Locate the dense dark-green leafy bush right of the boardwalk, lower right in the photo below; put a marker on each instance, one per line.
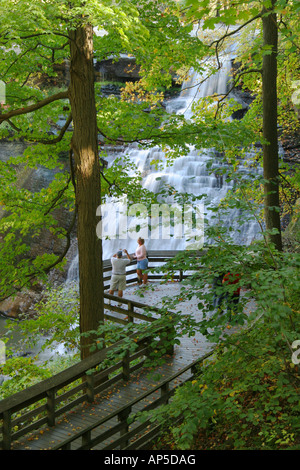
(245, 396)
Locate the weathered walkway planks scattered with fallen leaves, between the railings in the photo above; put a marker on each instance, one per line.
(120, 394)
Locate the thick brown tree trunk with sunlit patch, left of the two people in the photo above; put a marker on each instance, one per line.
(87, 173)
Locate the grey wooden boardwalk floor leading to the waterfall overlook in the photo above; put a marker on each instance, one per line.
(140, 391)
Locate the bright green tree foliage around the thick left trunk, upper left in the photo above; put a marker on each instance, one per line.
(35, 52)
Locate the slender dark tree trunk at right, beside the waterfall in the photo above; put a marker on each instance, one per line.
(270, 150)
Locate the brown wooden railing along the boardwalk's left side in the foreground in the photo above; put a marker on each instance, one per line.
(44, 402)
